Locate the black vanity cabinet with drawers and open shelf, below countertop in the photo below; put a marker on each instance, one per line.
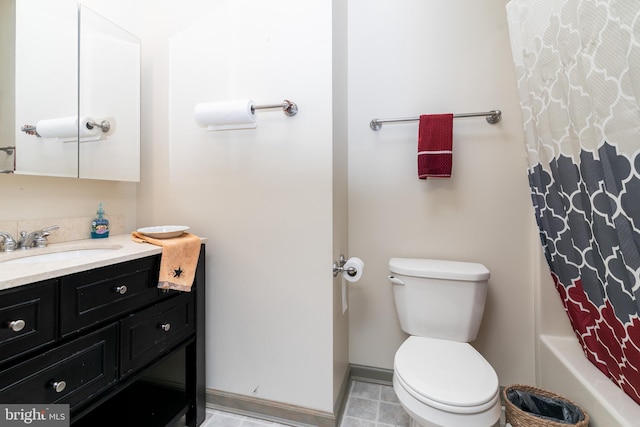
(91, 339)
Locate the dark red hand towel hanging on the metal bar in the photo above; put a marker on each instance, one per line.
(435, 142)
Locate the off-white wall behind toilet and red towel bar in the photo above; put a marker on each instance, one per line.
(415, 57)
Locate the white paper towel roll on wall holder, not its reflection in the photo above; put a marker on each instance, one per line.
(226, 115)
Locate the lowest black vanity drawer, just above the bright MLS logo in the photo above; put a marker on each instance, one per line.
(78, 369)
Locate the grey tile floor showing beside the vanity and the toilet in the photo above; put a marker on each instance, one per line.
(368, 405)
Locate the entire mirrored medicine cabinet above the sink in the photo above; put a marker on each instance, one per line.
(70, 92)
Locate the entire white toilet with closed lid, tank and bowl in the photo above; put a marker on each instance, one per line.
(440, 379)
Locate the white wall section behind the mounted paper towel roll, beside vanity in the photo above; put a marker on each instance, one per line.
(262, 197)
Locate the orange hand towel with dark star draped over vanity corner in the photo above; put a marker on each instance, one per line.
(179, 259)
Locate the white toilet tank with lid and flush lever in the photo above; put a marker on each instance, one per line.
(439, 299)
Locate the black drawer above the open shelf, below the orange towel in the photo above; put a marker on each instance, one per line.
(154, 331)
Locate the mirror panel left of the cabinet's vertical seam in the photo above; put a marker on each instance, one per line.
(46, 76)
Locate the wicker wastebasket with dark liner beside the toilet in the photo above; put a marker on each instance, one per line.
(520, 418)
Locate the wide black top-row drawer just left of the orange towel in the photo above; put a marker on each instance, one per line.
(88, 298)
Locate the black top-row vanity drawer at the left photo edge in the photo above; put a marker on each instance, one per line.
(26, 318)
